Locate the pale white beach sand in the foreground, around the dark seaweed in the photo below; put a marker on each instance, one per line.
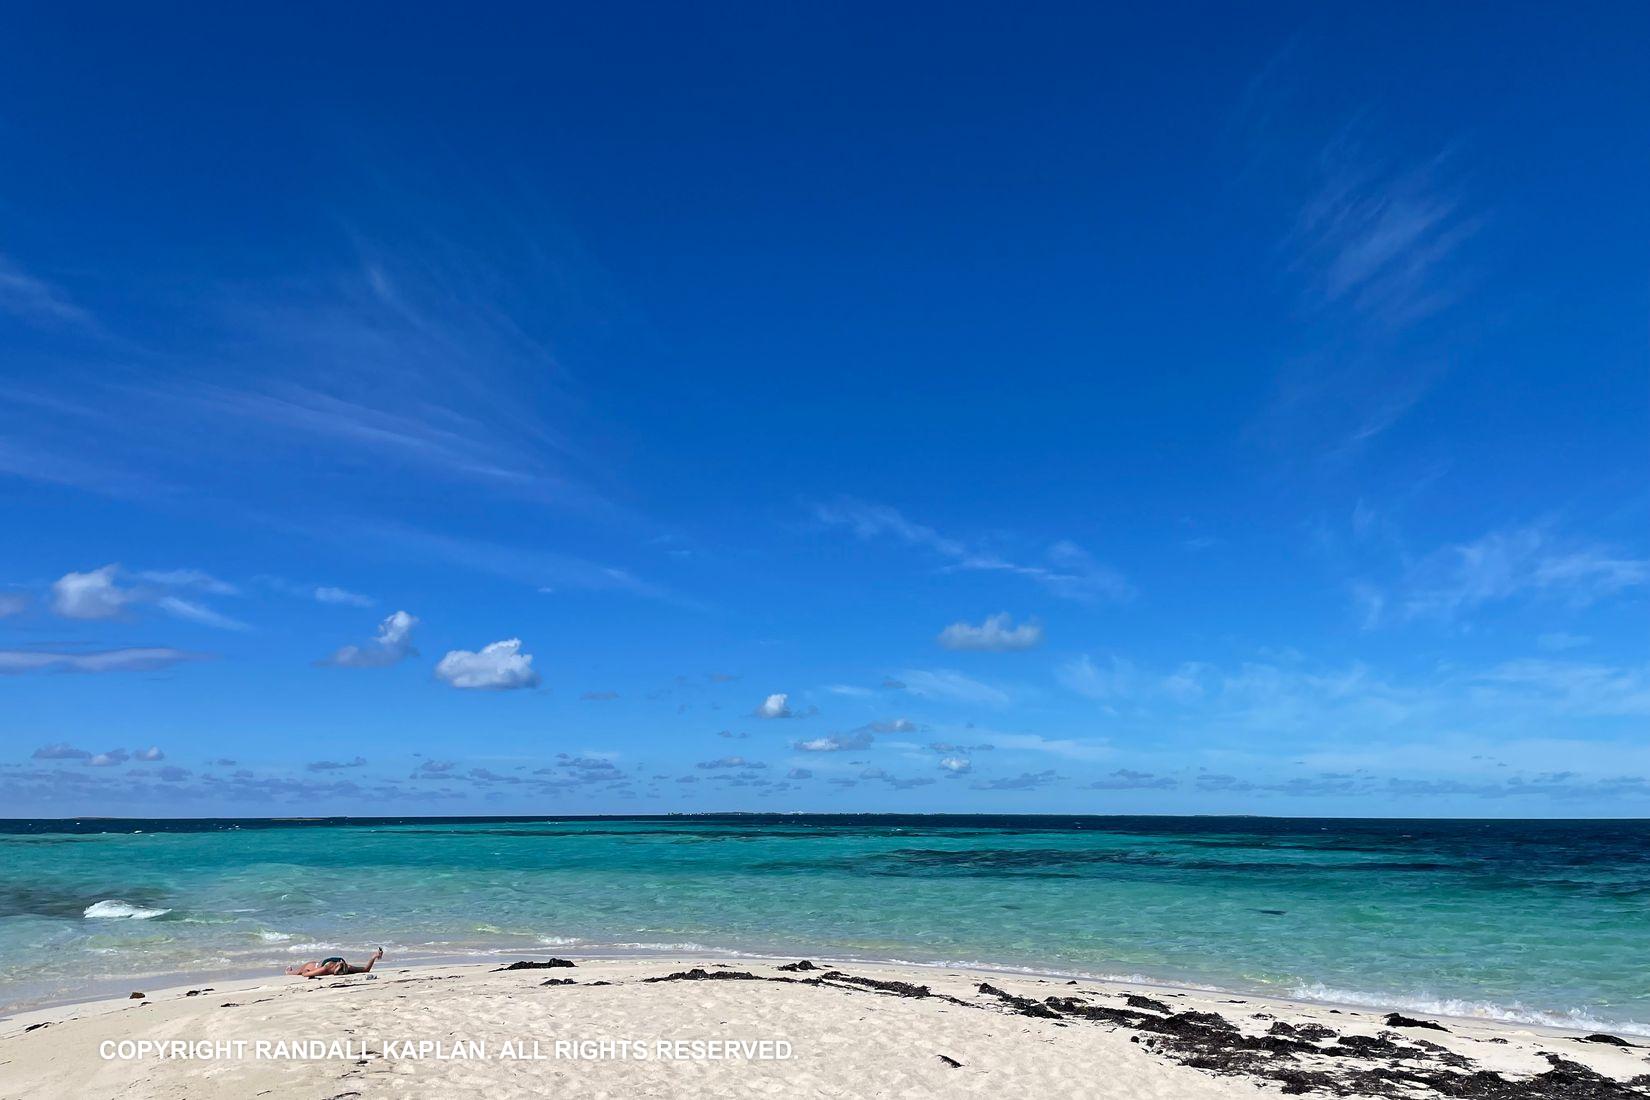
(496, 1035)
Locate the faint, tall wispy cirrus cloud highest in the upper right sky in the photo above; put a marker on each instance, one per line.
(1377, 240)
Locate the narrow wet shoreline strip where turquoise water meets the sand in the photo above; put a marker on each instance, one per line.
(166, 982)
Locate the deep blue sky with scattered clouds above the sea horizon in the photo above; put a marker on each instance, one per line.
(626, 410)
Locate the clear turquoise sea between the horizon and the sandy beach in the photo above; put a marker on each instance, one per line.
(1537, 921)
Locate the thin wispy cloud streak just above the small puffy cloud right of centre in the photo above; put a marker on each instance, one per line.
(1065, 568)
